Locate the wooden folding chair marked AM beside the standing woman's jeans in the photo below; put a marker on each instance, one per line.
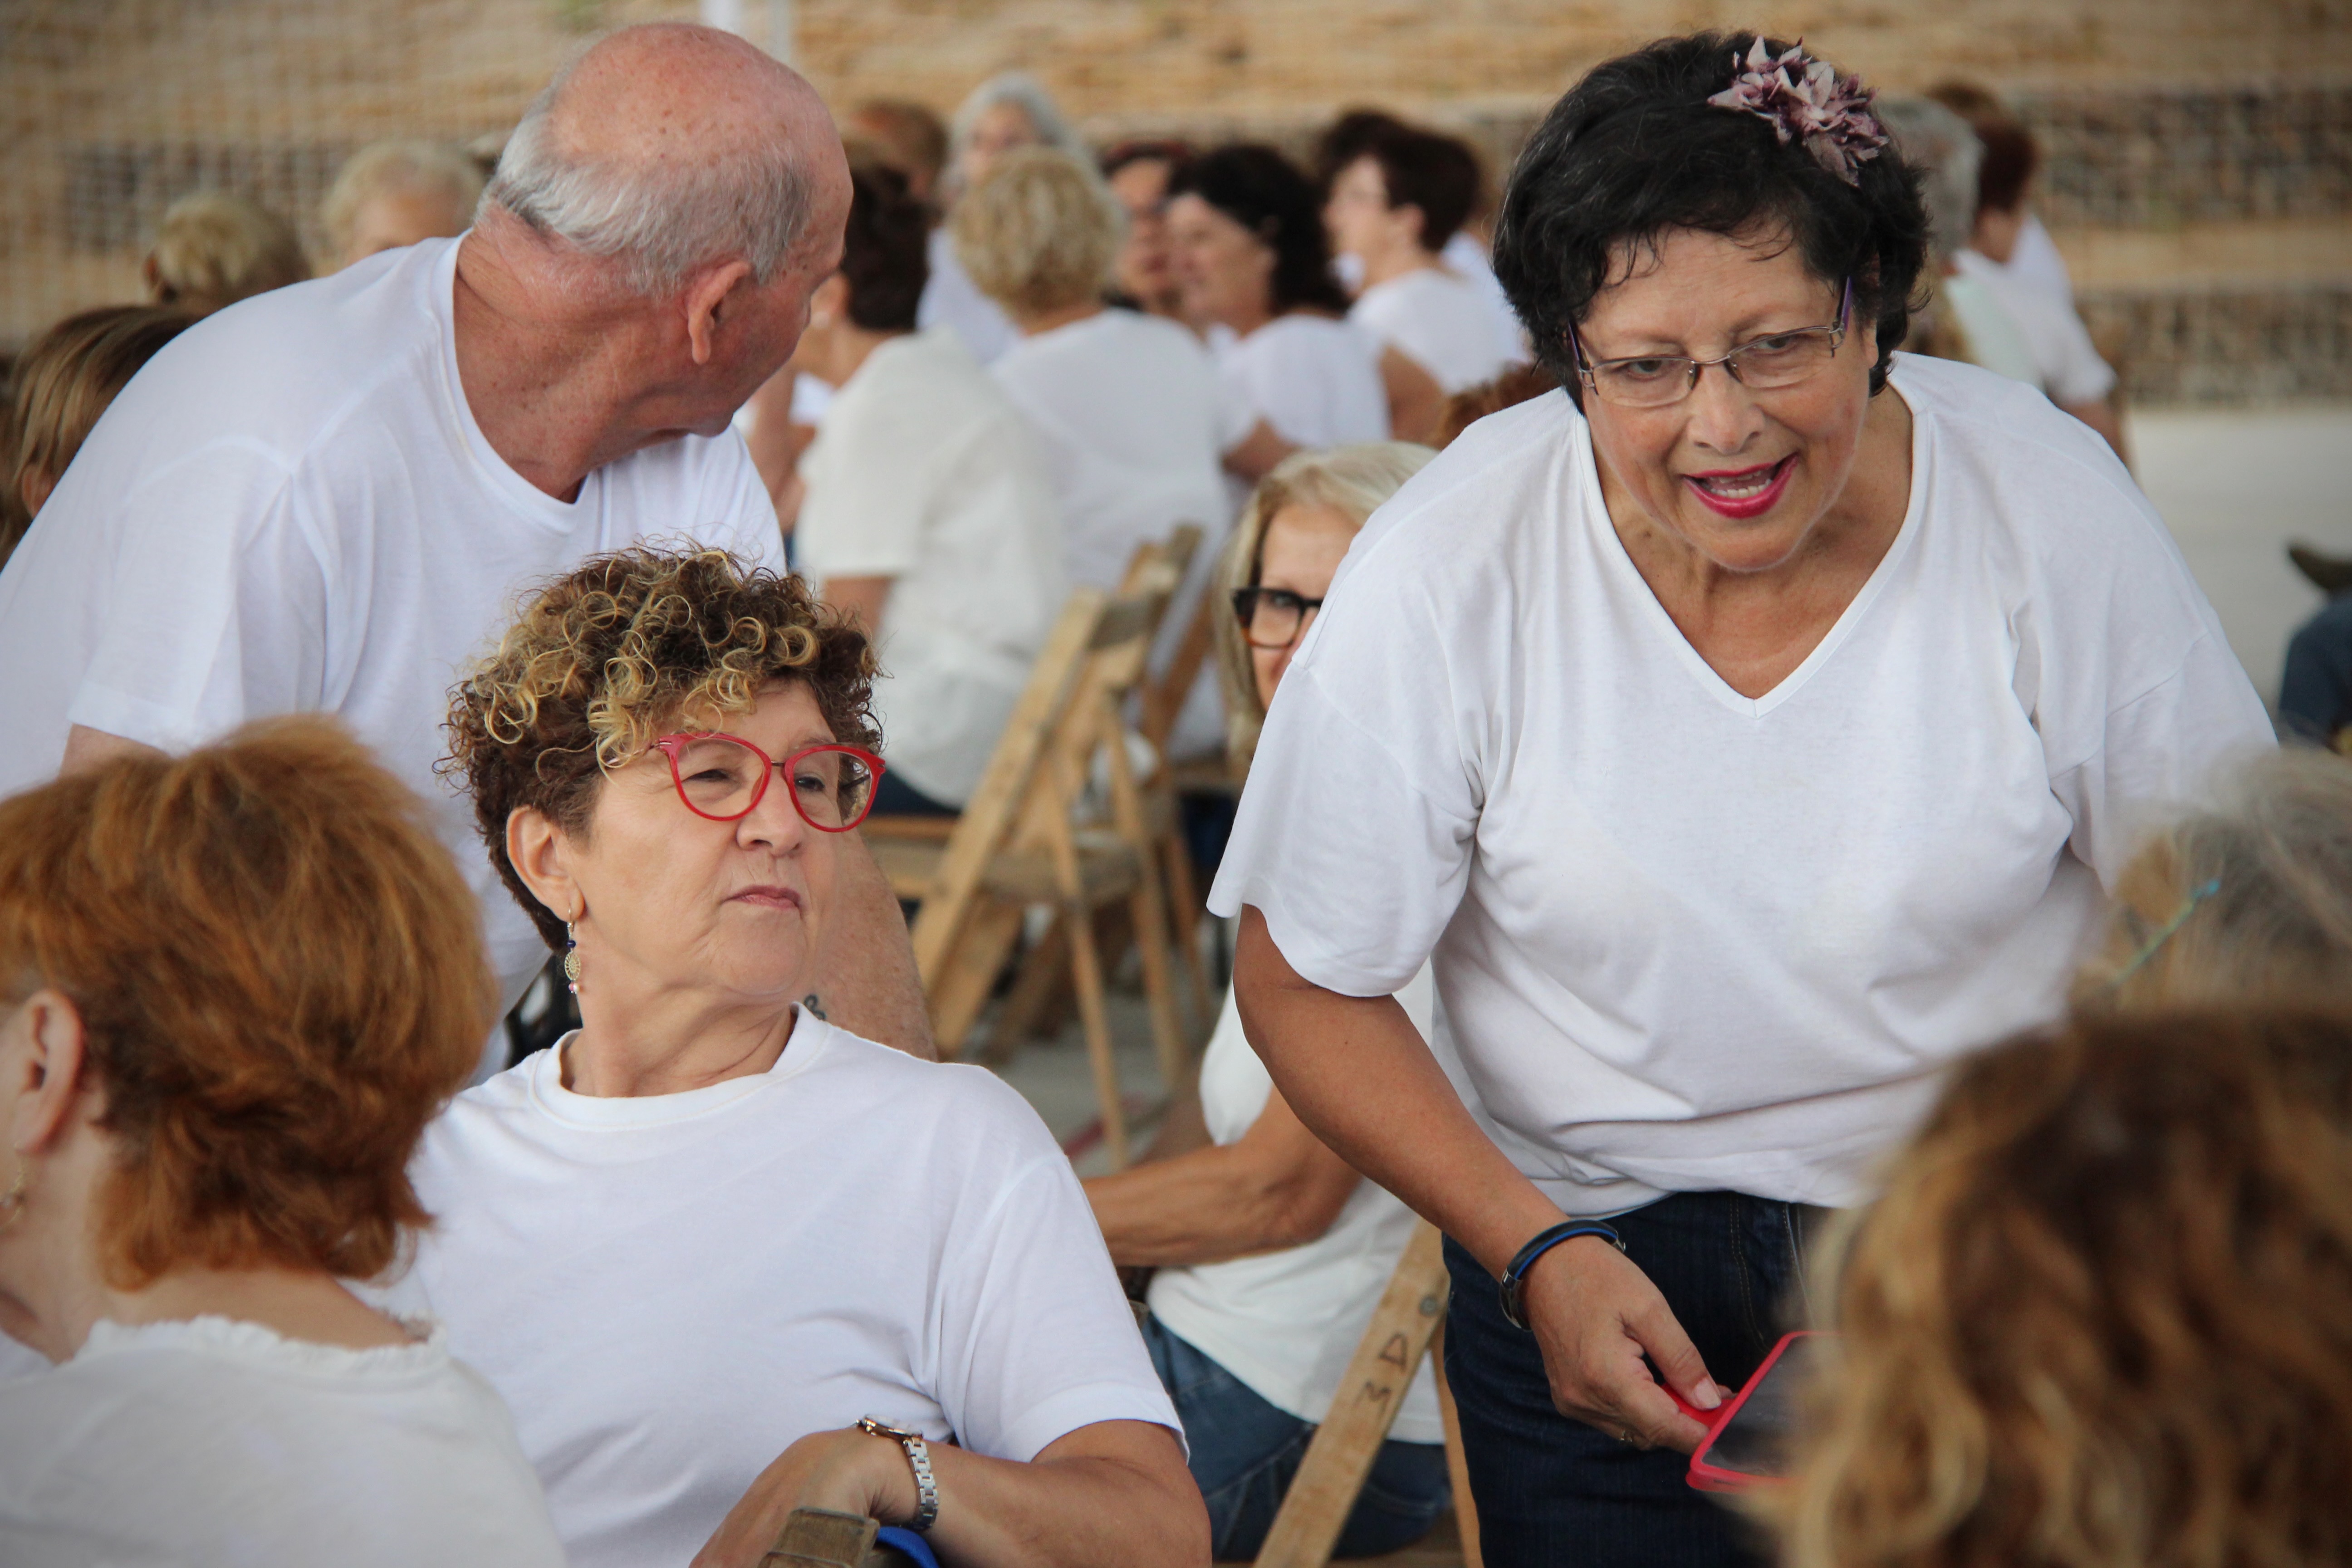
(1403, 1329)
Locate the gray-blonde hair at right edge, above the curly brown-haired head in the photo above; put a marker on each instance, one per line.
(2243, 904)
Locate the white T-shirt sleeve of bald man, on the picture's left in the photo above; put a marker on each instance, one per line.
(218, 608)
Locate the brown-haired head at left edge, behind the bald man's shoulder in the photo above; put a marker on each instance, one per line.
(62, 384)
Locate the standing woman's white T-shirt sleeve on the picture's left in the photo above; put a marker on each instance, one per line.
(1361, 880)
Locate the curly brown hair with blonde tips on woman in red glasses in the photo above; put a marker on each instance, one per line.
(606, 659)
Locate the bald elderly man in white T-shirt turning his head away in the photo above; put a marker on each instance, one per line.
(326, 500)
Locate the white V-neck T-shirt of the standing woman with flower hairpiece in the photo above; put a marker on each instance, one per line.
(1699, 942)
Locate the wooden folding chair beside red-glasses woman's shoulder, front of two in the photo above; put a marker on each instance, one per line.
(1024, 840)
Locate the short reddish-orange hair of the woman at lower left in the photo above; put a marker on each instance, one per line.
(281, 984)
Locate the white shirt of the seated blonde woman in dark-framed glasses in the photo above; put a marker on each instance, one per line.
(1288, 1322)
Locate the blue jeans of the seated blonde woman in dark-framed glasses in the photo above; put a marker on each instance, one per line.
(1245, 1454)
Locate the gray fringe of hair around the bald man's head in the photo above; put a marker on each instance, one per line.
(660, 222)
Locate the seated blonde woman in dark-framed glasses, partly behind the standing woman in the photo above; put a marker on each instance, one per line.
(1271, 1252)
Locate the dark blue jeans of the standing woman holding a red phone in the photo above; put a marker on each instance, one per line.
(1558, 1492)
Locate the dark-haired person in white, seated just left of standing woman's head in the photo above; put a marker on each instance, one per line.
(1398, 206)
